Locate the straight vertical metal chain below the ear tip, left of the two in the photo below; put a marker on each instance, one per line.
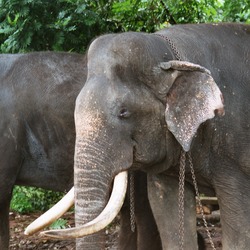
(181, 199)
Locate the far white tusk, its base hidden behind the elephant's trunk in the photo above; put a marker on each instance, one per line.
(60, 208)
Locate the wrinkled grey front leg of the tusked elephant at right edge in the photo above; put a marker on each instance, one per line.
(233, 195)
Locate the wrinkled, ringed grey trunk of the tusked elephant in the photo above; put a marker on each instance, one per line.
(92, 183)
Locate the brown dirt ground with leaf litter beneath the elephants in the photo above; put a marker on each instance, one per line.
(18, 222)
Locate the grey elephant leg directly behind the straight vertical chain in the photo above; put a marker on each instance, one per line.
(163, 197)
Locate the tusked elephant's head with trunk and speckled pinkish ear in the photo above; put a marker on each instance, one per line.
(137, 110)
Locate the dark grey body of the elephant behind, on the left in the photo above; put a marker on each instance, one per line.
(37, 132)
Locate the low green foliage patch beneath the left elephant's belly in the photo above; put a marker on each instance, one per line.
(29, 199)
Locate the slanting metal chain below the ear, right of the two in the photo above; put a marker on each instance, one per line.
(199, 200)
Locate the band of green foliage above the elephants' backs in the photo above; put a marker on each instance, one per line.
(69, 25)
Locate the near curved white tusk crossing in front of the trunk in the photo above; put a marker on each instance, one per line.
(104, 219)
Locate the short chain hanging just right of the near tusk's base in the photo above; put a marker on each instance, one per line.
(132, 201)
